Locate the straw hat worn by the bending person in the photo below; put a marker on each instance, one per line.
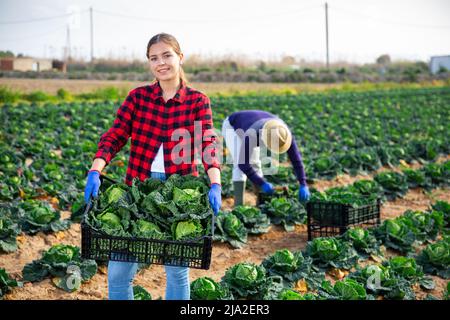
(276, 136)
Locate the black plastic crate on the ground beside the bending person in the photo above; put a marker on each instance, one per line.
(328, 219)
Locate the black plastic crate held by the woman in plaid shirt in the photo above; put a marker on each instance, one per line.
(99, 246)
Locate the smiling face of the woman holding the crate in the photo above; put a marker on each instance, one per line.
(164, 62)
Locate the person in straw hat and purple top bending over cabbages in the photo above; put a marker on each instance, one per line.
(244, 132)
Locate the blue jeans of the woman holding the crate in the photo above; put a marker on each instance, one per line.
(121, 275)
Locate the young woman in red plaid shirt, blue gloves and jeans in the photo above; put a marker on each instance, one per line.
(152, 116)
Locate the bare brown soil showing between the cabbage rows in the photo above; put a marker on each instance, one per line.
(223, 255)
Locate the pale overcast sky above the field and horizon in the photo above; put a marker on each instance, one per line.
(359, 30)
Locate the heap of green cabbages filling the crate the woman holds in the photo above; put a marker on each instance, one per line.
(177, 209)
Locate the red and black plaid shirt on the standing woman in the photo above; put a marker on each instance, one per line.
(149, 121)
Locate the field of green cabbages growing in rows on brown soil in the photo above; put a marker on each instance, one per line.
(391, 145)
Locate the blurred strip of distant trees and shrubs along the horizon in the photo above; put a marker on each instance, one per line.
(237, 69)
